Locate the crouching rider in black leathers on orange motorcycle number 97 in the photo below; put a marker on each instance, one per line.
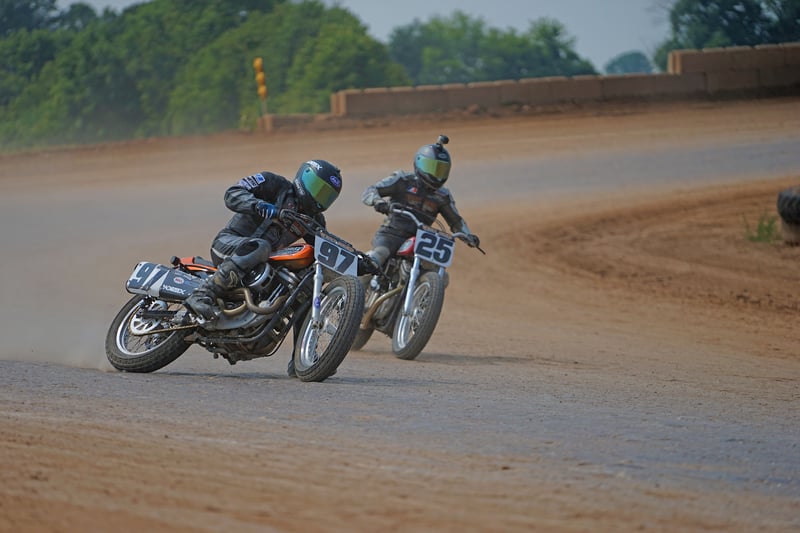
(255, 230)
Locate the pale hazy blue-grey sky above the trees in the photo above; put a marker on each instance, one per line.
(602, 29)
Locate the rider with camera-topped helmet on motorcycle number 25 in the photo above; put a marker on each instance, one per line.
(420, 191)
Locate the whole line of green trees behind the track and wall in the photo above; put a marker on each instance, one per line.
(175, 67)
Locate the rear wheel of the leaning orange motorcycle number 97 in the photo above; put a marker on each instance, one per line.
(158, 350)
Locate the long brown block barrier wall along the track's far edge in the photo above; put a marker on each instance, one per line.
(760, 70)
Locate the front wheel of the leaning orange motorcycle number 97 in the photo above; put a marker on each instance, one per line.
(321, 348)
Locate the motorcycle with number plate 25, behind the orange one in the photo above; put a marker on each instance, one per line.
(405, 299)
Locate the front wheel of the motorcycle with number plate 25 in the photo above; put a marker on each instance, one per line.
(413, 331)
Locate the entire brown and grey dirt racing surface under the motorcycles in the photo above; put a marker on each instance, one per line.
(623, 358)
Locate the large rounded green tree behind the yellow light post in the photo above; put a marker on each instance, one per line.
(303, 65)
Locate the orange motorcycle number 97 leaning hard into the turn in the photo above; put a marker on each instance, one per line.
(293, 289)
